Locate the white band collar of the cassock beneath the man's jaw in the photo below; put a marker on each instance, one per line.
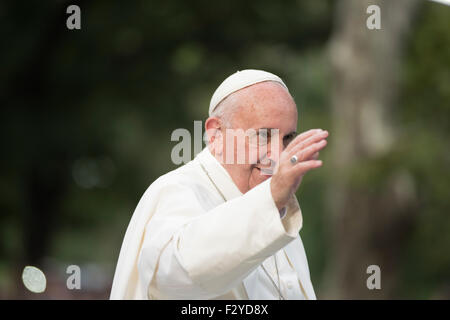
(218, 174)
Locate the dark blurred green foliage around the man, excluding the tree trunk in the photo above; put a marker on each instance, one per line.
(87, 116)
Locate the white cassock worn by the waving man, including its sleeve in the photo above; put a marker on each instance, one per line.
(185, 242)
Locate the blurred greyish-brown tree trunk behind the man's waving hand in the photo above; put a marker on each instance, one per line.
(369, 211)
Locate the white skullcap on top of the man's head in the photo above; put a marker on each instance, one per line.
(240, 80)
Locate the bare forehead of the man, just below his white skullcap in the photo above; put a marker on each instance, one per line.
(266, 105)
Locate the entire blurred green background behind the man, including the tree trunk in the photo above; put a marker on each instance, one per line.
(86, 119)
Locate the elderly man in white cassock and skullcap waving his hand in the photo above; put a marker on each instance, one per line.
(221, 229)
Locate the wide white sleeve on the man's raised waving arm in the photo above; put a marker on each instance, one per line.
(209, 253)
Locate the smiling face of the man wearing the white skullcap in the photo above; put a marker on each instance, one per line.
(262, 127)
